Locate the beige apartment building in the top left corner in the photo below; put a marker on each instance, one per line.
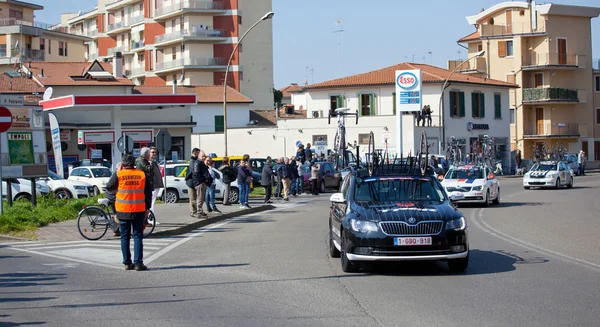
(23, 40)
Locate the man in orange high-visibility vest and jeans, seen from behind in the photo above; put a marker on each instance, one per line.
(133, 202)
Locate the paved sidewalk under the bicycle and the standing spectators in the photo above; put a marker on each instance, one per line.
(173, 219)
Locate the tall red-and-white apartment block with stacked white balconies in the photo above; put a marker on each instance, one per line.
(188, 41)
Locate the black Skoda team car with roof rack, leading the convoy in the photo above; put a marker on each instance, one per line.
(396, 213)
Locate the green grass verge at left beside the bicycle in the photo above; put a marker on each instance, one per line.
(22, 219)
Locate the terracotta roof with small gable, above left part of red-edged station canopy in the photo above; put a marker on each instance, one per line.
(59, 73)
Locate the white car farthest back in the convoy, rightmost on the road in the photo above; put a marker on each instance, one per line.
(549, 174)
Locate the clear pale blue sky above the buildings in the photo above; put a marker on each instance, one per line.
(377, 33)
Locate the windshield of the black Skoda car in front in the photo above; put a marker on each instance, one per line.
(396, 189)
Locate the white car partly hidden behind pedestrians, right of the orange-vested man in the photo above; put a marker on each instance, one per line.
(178, 190)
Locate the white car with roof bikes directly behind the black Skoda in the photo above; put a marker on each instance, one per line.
(477, 183)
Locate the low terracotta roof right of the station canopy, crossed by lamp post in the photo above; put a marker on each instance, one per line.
(206, 93)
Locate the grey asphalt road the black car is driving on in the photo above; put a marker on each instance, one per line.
(534, 262)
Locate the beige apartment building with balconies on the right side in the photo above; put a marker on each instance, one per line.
(545, 49)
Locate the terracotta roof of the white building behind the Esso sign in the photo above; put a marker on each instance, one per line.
(386, 76)
